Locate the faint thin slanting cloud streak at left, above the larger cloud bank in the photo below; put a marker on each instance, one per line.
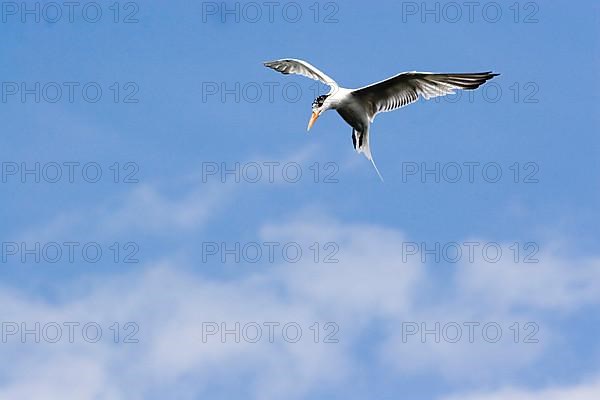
(146, 209)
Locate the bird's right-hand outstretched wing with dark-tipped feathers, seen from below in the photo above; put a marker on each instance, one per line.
(406, 88)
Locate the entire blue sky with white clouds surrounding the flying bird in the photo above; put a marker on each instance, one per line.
(165, 132)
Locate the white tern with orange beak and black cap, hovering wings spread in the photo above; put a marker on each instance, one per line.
(358, 107)
